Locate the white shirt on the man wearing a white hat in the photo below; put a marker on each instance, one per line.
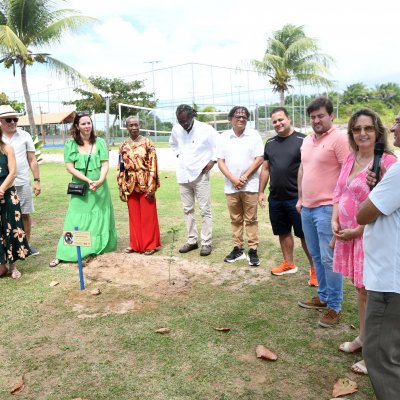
(21, 142)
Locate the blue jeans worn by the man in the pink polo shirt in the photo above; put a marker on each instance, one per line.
(318, 233)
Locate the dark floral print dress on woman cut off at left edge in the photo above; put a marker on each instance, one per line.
(14, 245)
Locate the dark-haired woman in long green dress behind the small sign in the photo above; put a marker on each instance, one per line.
(94, 211)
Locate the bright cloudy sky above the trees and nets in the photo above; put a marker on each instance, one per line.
(362, 36)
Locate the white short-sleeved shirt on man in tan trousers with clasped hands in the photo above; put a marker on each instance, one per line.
(239, 153)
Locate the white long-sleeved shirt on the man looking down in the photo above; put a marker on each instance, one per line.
(194, 149)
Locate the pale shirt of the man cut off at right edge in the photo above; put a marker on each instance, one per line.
(381, 239)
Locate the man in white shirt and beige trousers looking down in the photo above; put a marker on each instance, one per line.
(194, 144)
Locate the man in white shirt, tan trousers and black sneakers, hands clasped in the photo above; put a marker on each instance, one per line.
(240, 154)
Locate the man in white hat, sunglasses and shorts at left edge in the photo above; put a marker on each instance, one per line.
(24, 149)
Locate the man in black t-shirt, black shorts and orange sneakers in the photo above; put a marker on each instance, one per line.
(281, 165)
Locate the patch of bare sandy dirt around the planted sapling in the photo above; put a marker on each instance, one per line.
(144, 280)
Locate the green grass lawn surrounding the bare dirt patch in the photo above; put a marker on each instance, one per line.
(118, 356)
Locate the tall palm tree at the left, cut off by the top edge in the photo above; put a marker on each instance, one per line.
(28, 25)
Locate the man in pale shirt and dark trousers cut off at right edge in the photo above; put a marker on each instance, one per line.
(381, 241)
